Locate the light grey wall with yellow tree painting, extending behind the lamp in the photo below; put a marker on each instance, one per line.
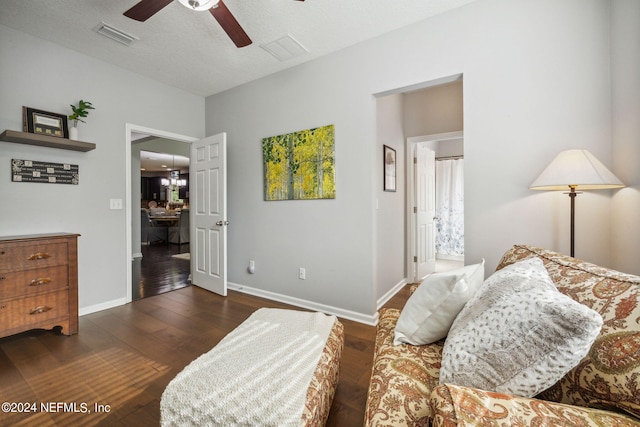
(536, 81)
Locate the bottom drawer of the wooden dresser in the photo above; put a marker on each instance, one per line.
(34, 310)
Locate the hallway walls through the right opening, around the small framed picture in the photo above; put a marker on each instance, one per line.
(426, 108)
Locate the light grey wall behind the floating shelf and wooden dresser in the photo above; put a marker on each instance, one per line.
(42, 75)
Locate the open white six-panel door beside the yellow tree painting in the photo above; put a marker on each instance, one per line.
(208, 171)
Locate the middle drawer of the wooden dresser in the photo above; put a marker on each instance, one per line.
(28, 282)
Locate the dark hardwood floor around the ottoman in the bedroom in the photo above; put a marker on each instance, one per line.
(123, 358)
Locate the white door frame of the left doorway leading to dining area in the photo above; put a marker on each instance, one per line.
(129, 129)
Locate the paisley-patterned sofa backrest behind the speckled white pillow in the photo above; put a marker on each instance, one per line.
(608, 375)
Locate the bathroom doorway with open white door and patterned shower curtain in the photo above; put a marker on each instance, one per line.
(435, 243)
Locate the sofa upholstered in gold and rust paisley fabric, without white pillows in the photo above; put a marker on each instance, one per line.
(602, 389)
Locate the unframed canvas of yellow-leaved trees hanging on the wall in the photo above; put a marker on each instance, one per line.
(300, 165)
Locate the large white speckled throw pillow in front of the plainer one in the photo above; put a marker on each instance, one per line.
(518, 335)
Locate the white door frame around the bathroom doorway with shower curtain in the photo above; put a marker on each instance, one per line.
(411, 230)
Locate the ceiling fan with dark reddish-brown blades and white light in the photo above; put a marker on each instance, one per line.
(145, 9)
